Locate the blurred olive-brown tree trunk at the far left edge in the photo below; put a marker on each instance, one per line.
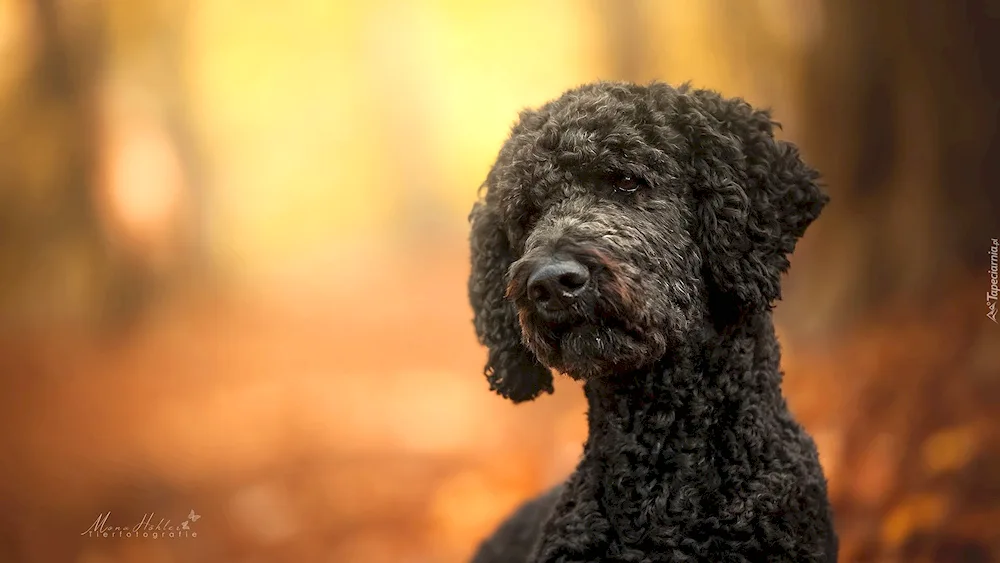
(53, 256)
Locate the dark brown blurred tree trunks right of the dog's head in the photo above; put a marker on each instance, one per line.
(901, 101)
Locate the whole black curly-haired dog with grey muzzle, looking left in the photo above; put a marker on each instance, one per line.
(634, 237)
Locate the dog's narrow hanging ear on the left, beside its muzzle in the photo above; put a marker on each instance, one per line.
(512, 370)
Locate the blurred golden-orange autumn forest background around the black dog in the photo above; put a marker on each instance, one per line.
(233, 249)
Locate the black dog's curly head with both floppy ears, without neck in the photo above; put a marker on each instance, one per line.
(618, 219)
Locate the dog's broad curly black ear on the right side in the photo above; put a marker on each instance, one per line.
(754, 198)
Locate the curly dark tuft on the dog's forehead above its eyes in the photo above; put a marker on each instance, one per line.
(566, 148)
